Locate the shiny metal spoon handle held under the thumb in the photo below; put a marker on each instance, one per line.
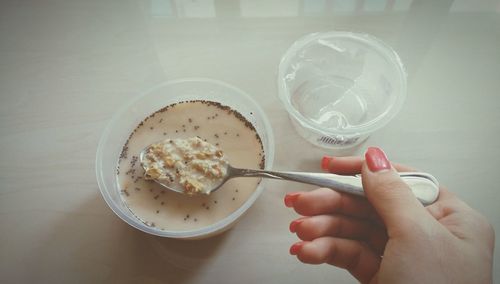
(423, 185)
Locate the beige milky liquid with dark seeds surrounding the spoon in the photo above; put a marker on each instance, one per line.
(213, 123)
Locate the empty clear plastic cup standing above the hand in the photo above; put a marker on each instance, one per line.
(339, 87)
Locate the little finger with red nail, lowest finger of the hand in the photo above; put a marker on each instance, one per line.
(352, 255)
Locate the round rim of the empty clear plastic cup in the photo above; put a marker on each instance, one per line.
(386, 51)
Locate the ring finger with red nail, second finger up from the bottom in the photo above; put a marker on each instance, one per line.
(310, 228)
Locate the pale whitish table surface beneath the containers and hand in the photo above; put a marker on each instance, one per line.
(66, 66)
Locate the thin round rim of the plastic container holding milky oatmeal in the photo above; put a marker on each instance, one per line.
(203, 231)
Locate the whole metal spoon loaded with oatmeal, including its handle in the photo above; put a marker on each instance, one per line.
(193, 166)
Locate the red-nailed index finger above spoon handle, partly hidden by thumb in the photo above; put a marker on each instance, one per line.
(352, 165)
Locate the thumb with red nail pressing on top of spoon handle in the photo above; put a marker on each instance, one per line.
(391, 197)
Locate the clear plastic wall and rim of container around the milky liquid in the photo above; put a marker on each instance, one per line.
(126, 119)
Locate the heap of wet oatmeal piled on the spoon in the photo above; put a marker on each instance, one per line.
(190, 165)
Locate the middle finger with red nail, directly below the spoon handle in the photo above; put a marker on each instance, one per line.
(327, 201)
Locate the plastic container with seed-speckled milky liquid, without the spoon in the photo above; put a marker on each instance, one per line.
(211, 110)
